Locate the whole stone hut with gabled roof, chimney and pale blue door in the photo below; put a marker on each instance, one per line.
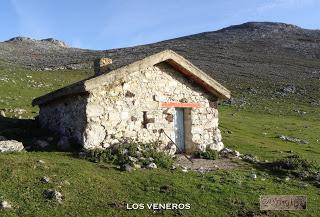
(161, 98)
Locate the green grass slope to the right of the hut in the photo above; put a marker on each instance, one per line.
(256, 133)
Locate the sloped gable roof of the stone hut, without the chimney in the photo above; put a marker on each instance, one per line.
(168, 56)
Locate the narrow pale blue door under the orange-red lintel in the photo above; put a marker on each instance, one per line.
(179, 129)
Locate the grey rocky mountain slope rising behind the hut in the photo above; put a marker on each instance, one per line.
(259, 51)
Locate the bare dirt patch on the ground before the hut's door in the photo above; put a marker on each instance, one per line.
(206, 165)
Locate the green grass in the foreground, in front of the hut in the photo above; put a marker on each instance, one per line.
(94, 188)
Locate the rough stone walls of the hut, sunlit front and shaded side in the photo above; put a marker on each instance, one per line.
(139, 107)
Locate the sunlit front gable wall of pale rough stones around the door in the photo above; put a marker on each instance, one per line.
(129, 110)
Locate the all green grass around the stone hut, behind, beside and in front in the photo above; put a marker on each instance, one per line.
(101, 190)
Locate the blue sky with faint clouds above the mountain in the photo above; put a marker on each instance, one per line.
(106, 24)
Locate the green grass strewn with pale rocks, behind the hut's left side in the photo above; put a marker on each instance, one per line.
(18, 87)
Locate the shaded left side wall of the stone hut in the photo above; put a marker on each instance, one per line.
(66, 118)
